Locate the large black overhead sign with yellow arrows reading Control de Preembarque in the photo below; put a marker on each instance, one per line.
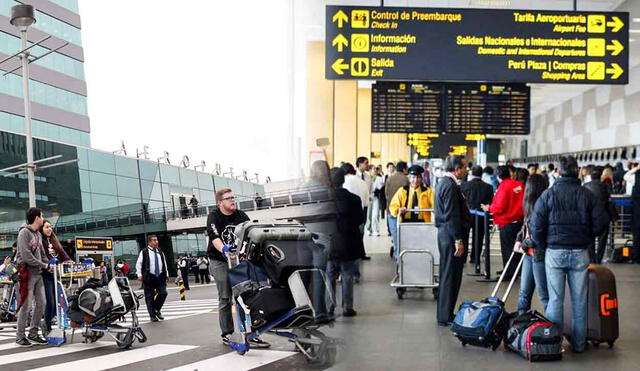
(497, 45)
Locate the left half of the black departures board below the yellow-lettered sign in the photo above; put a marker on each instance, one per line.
(406, 107)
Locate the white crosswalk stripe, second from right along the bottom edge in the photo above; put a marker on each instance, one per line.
(120, 358)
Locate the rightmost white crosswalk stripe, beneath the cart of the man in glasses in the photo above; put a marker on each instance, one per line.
(235, 362)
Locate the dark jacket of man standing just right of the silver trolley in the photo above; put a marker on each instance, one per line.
(452, 212)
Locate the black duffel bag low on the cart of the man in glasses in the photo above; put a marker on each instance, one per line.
(269, 304)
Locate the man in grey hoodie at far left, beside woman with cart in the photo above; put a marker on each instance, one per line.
(31, 258)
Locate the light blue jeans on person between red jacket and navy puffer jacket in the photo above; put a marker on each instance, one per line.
(533, 278)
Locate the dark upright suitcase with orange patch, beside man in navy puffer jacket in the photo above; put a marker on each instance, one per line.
(602, 307)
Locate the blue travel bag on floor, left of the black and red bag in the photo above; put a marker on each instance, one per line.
(480, 323)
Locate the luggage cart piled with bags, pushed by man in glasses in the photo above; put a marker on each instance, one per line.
(293, 301)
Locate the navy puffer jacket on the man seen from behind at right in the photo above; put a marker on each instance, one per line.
(567, 216)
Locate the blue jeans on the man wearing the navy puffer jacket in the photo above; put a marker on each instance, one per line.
(570, 266)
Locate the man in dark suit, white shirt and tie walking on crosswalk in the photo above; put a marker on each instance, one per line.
(151, 268)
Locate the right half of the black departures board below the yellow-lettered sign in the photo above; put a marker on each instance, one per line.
(488, 109)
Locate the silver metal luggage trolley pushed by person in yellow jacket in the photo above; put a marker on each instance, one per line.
(418, 256)
